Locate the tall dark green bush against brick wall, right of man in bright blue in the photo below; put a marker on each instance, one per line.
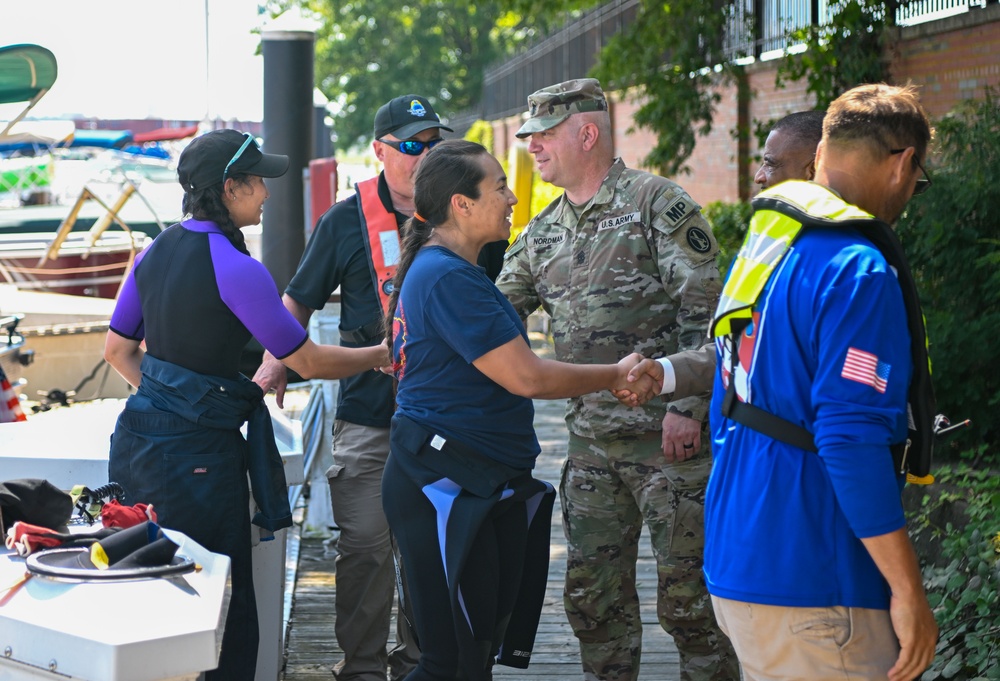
(951, 236)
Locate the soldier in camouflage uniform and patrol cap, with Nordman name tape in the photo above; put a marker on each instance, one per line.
(622, 262)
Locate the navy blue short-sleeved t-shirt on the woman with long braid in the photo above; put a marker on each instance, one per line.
(450, 314)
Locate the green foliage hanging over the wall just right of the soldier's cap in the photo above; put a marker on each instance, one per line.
(675, 84)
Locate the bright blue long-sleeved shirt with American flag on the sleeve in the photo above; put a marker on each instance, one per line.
(828, 350)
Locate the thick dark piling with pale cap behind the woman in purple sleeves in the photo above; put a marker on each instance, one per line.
(288, 129)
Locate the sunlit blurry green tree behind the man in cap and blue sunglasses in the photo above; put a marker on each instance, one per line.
(369, 51)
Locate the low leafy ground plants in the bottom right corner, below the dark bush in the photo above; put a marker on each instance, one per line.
(964, 593)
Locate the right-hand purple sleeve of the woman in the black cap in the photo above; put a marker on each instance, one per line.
(249, 291)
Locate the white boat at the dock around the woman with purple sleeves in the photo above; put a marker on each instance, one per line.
(149, 629)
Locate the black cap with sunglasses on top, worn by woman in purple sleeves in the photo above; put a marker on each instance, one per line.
(204, 162)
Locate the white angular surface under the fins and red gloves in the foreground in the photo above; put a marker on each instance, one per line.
(138, 630)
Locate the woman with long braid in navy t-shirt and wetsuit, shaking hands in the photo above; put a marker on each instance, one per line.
(471, 522)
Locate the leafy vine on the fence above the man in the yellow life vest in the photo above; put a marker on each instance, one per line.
(847, 51)
